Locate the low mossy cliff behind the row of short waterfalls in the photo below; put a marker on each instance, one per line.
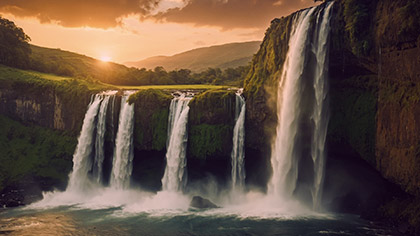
(33, 109)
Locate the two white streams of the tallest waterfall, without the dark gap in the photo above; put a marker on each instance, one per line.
(285, 160)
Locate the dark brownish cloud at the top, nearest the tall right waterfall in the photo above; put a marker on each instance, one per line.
(229, 14)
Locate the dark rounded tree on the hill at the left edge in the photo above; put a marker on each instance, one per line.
(14, 46)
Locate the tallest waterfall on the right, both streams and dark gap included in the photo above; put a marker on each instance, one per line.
(302, 109)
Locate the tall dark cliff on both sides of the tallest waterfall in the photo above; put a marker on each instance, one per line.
(374, 101)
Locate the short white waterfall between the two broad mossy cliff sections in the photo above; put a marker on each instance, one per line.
(174, 178)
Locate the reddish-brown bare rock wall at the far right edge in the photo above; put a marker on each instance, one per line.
(398, 116)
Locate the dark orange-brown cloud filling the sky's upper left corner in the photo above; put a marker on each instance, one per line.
(74, 13)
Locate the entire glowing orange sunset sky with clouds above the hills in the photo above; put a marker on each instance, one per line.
(129, 30)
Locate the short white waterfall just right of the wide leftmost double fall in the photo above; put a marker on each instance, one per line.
(123, 153)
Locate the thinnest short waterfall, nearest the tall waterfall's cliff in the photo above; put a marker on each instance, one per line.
(237, 155)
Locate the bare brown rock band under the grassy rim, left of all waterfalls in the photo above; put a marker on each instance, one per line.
(44, 106)
